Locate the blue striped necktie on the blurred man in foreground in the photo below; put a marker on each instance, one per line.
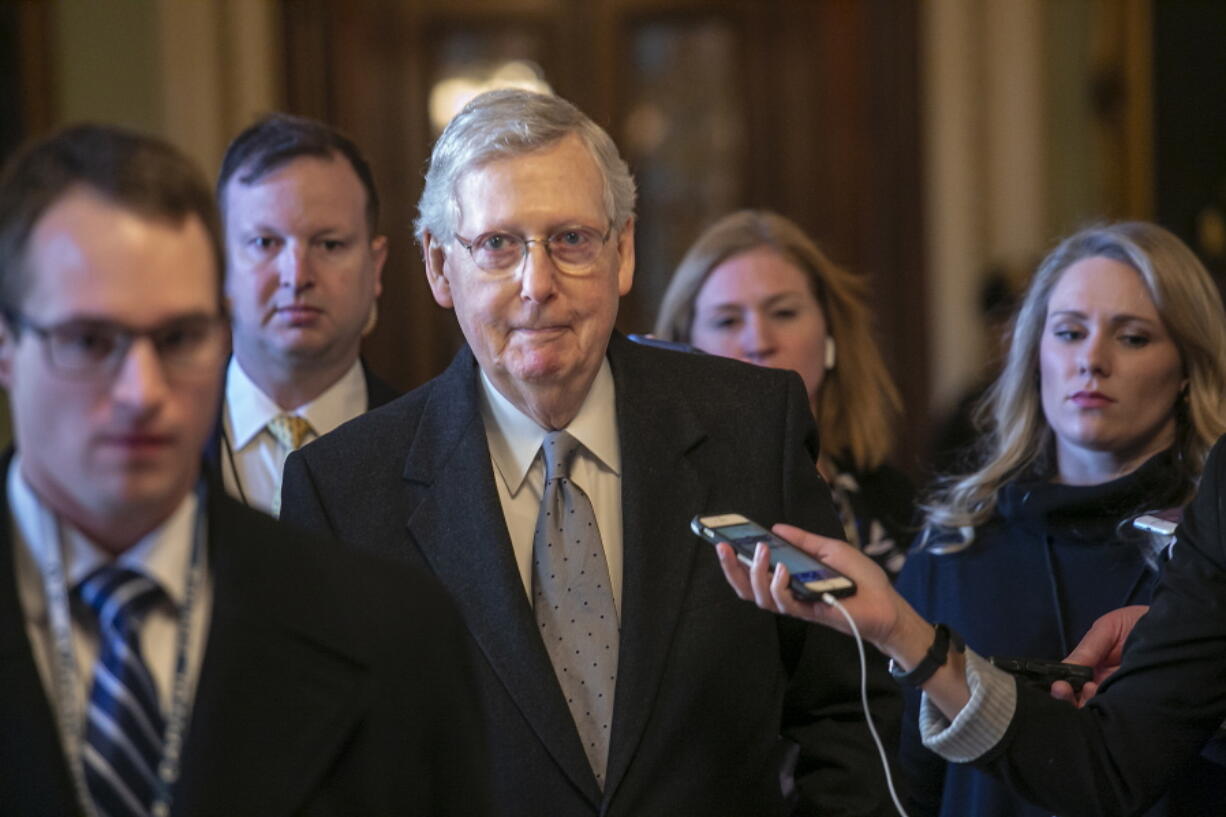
(124, 726)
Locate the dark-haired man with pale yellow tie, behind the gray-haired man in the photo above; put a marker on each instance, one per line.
(305, 259)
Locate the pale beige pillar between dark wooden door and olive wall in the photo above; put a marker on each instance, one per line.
(983, 82)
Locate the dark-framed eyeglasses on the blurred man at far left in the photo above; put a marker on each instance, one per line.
(88, 349)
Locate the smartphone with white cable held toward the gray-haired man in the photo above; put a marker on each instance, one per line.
(810, 578)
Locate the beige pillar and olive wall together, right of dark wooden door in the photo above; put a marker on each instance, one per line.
(1015, 155)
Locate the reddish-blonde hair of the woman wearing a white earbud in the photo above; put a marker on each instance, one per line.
(859, 401)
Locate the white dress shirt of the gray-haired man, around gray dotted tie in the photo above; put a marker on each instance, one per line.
(516, 447)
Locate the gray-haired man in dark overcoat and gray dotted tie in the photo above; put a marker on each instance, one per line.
(549, 479)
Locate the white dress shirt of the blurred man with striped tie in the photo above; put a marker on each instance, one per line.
(164, 556)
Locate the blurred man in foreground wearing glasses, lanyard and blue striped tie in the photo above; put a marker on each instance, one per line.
(162, 648)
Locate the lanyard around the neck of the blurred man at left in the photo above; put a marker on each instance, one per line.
(64, 668)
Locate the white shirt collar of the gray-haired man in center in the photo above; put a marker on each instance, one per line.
(516, 439)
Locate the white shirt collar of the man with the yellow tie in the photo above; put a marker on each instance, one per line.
(248, 409)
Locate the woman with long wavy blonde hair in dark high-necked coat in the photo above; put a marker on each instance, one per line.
(1109, 404)
